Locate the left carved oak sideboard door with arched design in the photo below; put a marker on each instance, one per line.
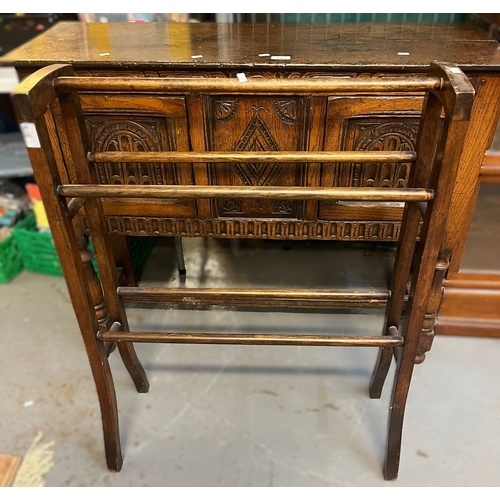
(140, 123)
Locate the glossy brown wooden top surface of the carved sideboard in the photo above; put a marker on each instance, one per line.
(319, 46)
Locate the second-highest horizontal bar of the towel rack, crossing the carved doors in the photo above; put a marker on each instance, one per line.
(251, 156)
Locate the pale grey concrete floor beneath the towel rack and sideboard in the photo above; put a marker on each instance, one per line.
(245, 415)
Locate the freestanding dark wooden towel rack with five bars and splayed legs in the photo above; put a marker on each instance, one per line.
(49, 108)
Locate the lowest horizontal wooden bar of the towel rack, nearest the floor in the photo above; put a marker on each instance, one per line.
(251, 339)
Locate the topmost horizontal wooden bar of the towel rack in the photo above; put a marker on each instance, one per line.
(252, 86)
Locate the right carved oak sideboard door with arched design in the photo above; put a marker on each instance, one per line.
(369, 124)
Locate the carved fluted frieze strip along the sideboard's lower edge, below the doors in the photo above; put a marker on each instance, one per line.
(247, 228)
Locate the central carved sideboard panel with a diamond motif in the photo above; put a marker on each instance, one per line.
(256, 124)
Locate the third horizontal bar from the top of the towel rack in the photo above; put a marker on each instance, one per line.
(273, 192)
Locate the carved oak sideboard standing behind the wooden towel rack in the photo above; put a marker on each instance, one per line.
(204, 122)
